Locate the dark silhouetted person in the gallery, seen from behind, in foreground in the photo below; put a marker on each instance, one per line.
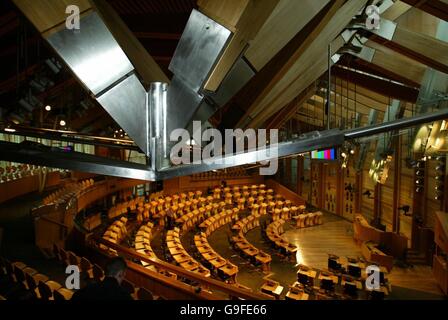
(109, 288)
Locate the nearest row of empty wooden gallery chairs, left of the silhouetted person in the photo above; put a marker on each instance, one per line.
(36, 284)
